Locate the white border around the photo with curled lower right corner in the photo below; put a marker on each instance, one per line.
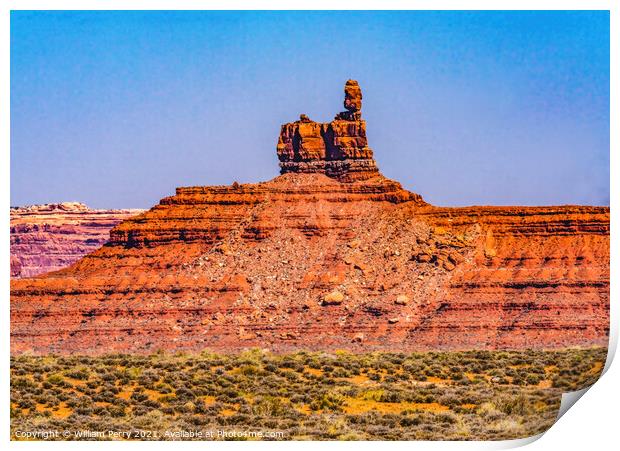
(593, 425)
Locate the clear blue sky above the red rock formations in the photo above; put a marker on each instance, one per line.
(116, 109)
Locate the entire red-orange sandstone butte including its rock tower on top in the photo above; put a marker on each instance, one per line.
(328, 255)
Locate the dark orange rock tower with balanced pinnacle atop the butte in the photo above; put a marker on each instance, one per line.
(338, 149)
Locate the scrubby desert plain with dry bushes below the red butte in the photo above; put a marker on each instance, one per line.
(323, 396)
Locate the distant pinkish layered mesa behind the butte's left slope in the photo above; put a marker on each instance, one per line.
(49, 237)
